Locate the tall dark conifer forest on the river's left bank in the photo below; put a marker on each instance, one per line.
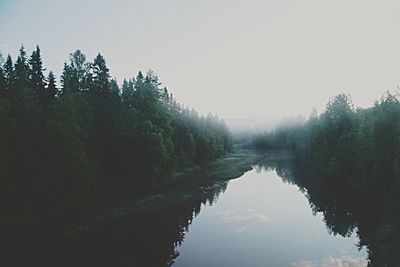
(63, 145)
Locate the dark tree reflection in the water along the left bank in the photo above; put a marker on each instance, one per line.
(146, 237)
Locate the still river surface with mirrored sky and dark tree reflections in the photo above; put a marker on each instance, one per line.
(267, 217)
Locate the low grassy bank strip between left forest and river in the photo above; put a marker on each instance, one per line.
(188, 185)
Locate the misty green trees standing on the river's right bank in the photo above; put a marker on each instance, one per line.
(363, 144)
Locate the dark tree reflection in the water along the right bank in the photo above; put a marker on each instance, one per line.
(344, 209)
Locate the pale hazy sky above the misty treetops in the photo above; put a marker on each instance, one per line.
(238, 59)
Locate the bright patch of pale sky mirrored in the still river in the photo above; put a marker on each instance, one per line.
(261, 221)
